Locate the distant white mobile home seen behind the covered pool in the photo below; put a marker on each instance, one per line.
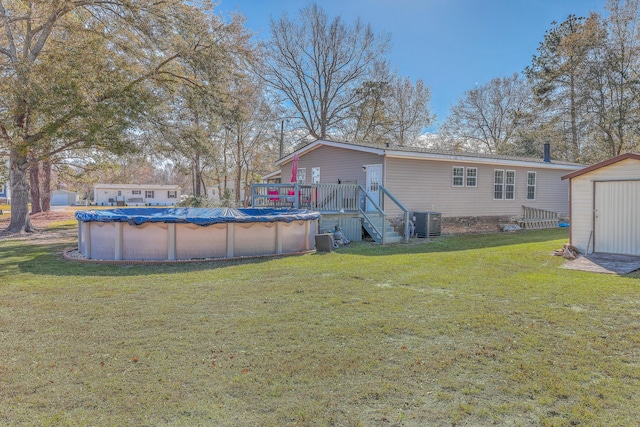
(135, 195)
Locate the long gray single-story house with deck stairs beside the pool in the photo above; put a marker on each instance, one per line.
(453, 184)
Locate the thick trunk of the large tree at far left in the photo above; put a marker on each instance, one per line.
(20, 222)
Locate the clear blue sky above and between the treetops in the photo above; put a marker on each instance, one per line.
(451, 45)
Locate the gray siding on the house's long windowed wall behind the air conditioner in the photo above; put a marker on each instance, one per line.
(426, 185)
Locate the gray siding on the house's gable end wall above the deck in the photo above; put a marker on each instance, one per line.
(335, 164)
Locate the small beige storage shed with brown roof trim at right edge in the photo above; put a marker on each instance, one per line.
(605, 206)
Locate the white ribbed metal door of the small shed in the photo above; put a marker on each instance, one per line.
(617, 217)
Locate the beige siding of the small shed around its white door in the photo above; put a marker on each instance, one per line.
(582, 202)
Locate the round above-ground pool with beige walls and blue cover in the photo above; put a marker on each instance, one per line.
(172, 234)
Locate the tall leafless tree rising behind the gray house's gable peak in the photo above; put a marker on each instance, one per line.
(318, 64)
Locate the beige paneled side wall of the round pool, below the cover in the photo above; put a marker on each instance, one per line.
(160, 241)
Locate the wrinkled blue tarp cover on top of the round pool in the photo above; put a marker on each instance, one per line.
(199, 216)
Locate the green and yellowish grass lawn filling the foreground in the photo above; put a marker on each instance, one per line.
(468, 330)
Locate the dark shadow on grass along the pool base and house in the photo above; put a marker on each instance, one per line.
(47, 259)
